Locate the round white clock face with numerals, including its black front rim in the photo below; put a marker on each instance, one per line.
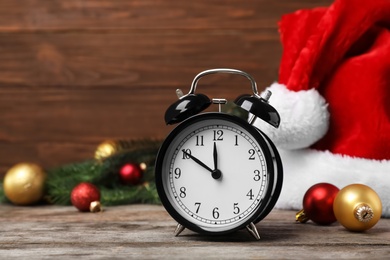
(213, 173)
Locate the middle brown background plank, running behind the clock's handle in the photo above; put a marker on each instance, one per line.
(132, 59)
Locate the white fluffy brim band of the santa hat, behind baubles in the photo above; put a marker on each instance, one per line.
(306, 167)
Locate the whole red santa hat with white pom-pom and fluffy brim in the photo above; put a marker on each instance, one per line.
(333, 97)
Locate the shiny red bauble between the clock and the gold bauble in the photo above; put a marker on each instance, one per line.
(318, 203)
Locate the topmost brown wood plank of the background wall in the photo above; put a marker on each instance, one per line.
(147, 14)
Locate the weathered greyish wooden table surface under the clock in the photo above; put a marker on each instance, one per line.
(146, 232)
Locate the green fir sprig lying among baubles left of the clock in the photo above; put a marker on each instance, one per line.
(104, 174)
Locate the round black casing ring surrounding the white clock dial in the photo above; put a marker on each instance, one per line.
(272, 158)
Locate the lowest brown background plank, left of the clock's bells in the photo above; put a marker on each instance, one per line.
(57, 127)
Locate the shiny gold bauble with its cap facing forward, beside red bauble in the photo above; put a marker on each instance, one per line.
(357, 207)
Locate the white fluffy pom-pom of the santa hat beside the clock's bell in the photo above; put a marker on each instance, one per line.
(304, 117)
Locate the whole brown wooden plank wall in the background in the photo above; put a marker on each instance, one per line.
(74, 73)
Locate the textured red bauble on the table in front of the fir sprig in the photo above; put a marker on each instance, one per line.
(83, 195)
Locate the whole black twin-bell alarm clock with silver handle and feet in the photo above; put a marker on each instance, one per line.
(217, 173)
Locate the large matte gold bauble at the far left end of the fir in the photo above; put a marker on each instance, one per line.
(24, 183)
